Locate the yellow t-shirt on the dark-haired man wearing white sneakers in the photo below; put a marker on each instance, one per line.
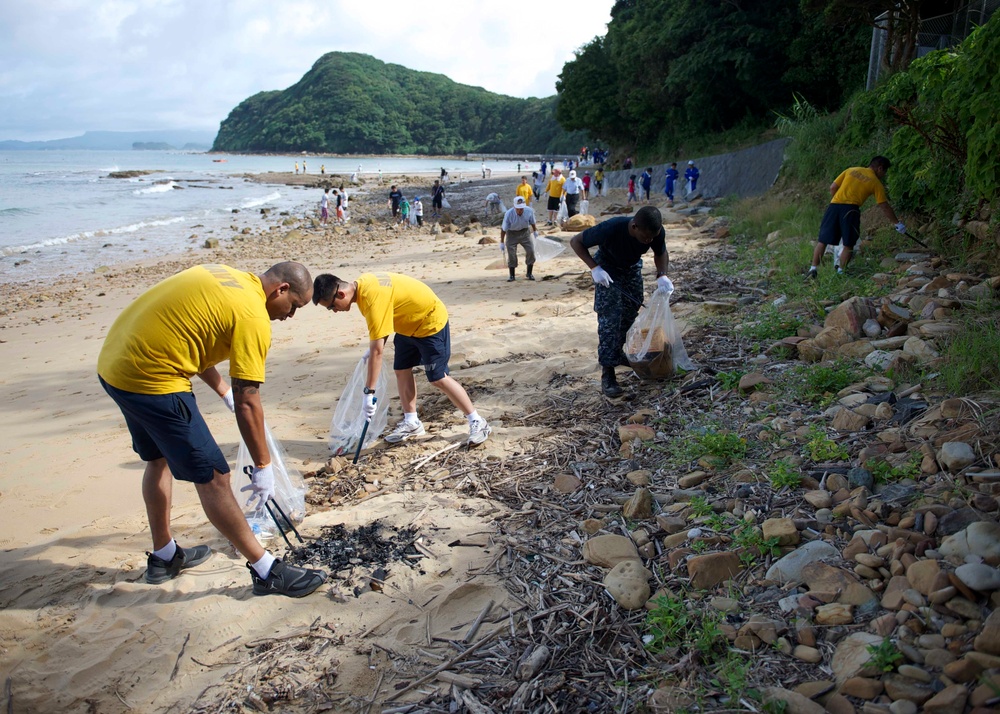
(398, 303)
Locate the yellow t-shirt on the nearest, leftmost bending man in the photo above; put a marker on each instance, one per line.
(185, 324)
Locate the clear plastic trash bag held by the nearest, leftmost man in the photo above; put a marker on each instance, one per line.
(289, 487)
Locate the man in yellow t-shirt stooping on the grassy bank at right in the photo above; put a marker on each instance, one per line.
(842, 220)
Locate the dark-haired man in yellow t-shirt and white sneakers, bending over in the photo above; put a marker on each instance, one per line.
(394, 303)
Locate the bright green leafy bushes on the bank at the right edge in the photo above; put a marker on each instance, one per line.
(936, 121)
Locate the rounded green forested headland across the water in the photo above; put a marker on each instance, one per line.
(354, 103)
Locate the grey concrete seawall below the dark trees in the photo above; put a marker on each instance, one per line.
(749, 172)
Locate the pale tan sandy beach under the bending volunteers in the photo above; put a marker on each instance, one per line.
(79, 629)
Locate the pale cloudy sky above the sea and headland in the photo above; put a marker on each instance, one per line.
(69, 66)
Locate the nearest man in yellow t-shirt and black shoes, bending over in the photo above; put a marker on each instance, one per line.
(181, 327)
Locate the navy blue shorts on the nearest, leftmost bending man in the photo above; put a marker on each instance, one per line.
(170, 426)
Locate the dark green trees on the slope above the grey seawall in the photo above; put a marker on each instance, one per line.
(668, 70)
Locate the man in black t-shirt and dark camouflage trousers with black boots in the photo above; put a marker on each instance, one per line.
(617, 272)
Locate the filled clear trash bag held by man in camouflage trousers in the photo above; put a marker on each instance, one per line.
(653, 346)
